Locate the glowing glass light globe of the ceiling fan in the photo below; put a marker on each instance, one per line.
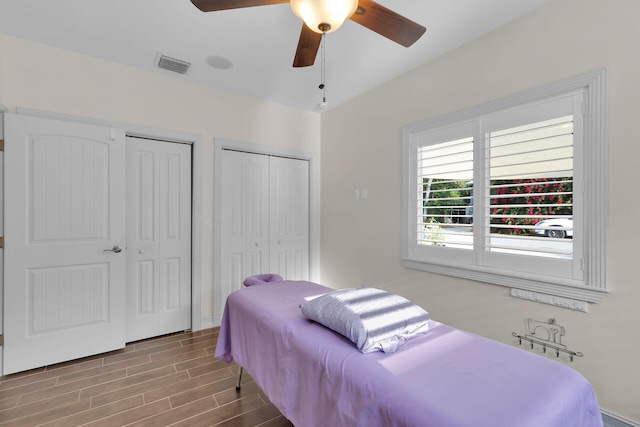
(317, 13)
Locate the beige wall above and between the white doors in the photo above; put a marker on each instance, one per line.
(44, 78)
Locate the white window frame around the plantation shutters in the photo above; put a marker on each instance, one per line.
(593, 165)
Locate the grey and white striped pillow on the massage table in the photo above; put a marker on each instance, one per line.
(371, 318)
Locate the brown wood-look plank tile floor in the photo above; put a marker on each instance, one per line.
(171, 380)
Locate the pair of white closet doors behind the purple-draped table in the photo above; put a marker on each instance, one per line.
(262, 205)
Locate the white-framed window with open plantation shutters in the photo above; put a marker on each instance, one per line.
(513, 192)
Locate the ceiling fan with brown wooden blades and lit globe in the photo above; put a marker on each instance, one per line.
(318, 19)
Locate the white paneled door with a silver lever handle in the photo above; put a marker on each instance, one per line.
(65, 227)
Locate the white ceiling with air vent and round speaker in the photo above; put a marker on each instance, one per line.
(259, 41)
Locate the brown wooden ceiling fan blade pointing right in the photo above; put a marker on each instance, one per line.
(387, 23)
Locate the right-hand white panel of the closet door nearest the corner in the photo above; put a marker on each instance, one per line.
(289, 215)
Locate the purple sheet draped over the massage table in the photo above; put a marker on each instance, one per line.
(444, 378)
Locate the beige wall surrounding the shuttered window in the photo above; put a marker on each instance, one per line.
(362, 146)
